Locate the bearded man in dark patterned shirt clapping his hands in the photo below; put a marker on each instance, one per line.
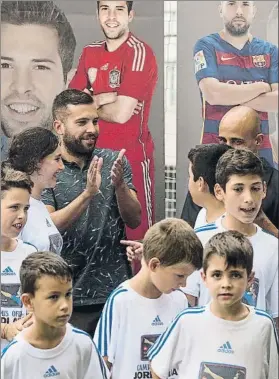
(93, 200)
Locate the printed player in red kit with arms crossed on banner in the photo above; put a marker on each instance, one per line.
(122, 73)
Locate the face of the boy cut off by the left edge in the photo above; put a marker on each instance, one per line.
(14, 207)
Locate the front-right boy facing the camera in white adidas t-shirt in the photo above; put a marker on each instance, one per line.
(226, 339)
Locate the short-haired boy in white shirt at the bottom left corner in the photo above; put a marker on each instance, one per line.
(50, 347)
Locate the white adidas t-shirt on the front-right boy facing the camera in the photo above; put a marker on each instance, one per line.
(198, 343)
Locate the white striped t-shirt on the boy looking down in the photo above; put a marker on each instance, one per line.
(129, 326)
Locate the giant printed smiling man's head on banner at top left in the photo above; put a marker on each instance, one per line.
(37, 52)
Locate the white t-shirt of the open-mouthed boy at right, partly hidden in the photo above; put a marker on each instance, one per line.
(263, 293)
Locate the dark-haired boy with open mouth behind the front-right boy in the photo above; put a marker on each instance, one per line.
(239, 185)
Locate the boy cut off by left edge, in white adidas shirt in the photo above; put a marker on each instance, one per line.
(15, 195)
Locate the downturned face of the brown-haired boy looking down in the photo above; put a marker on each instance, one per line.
(169, 278)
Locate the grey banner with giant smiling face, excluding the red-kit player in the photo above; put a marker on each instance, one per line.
(36, 65)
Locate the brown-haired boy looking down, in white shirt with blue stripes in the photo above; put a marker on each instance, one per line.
(140, 309)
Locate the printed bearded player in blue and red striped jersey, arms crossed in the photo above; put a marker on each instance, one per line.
(232, 68)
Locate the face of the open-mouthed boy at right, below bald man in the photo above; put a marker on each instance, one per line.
(243, 197)
